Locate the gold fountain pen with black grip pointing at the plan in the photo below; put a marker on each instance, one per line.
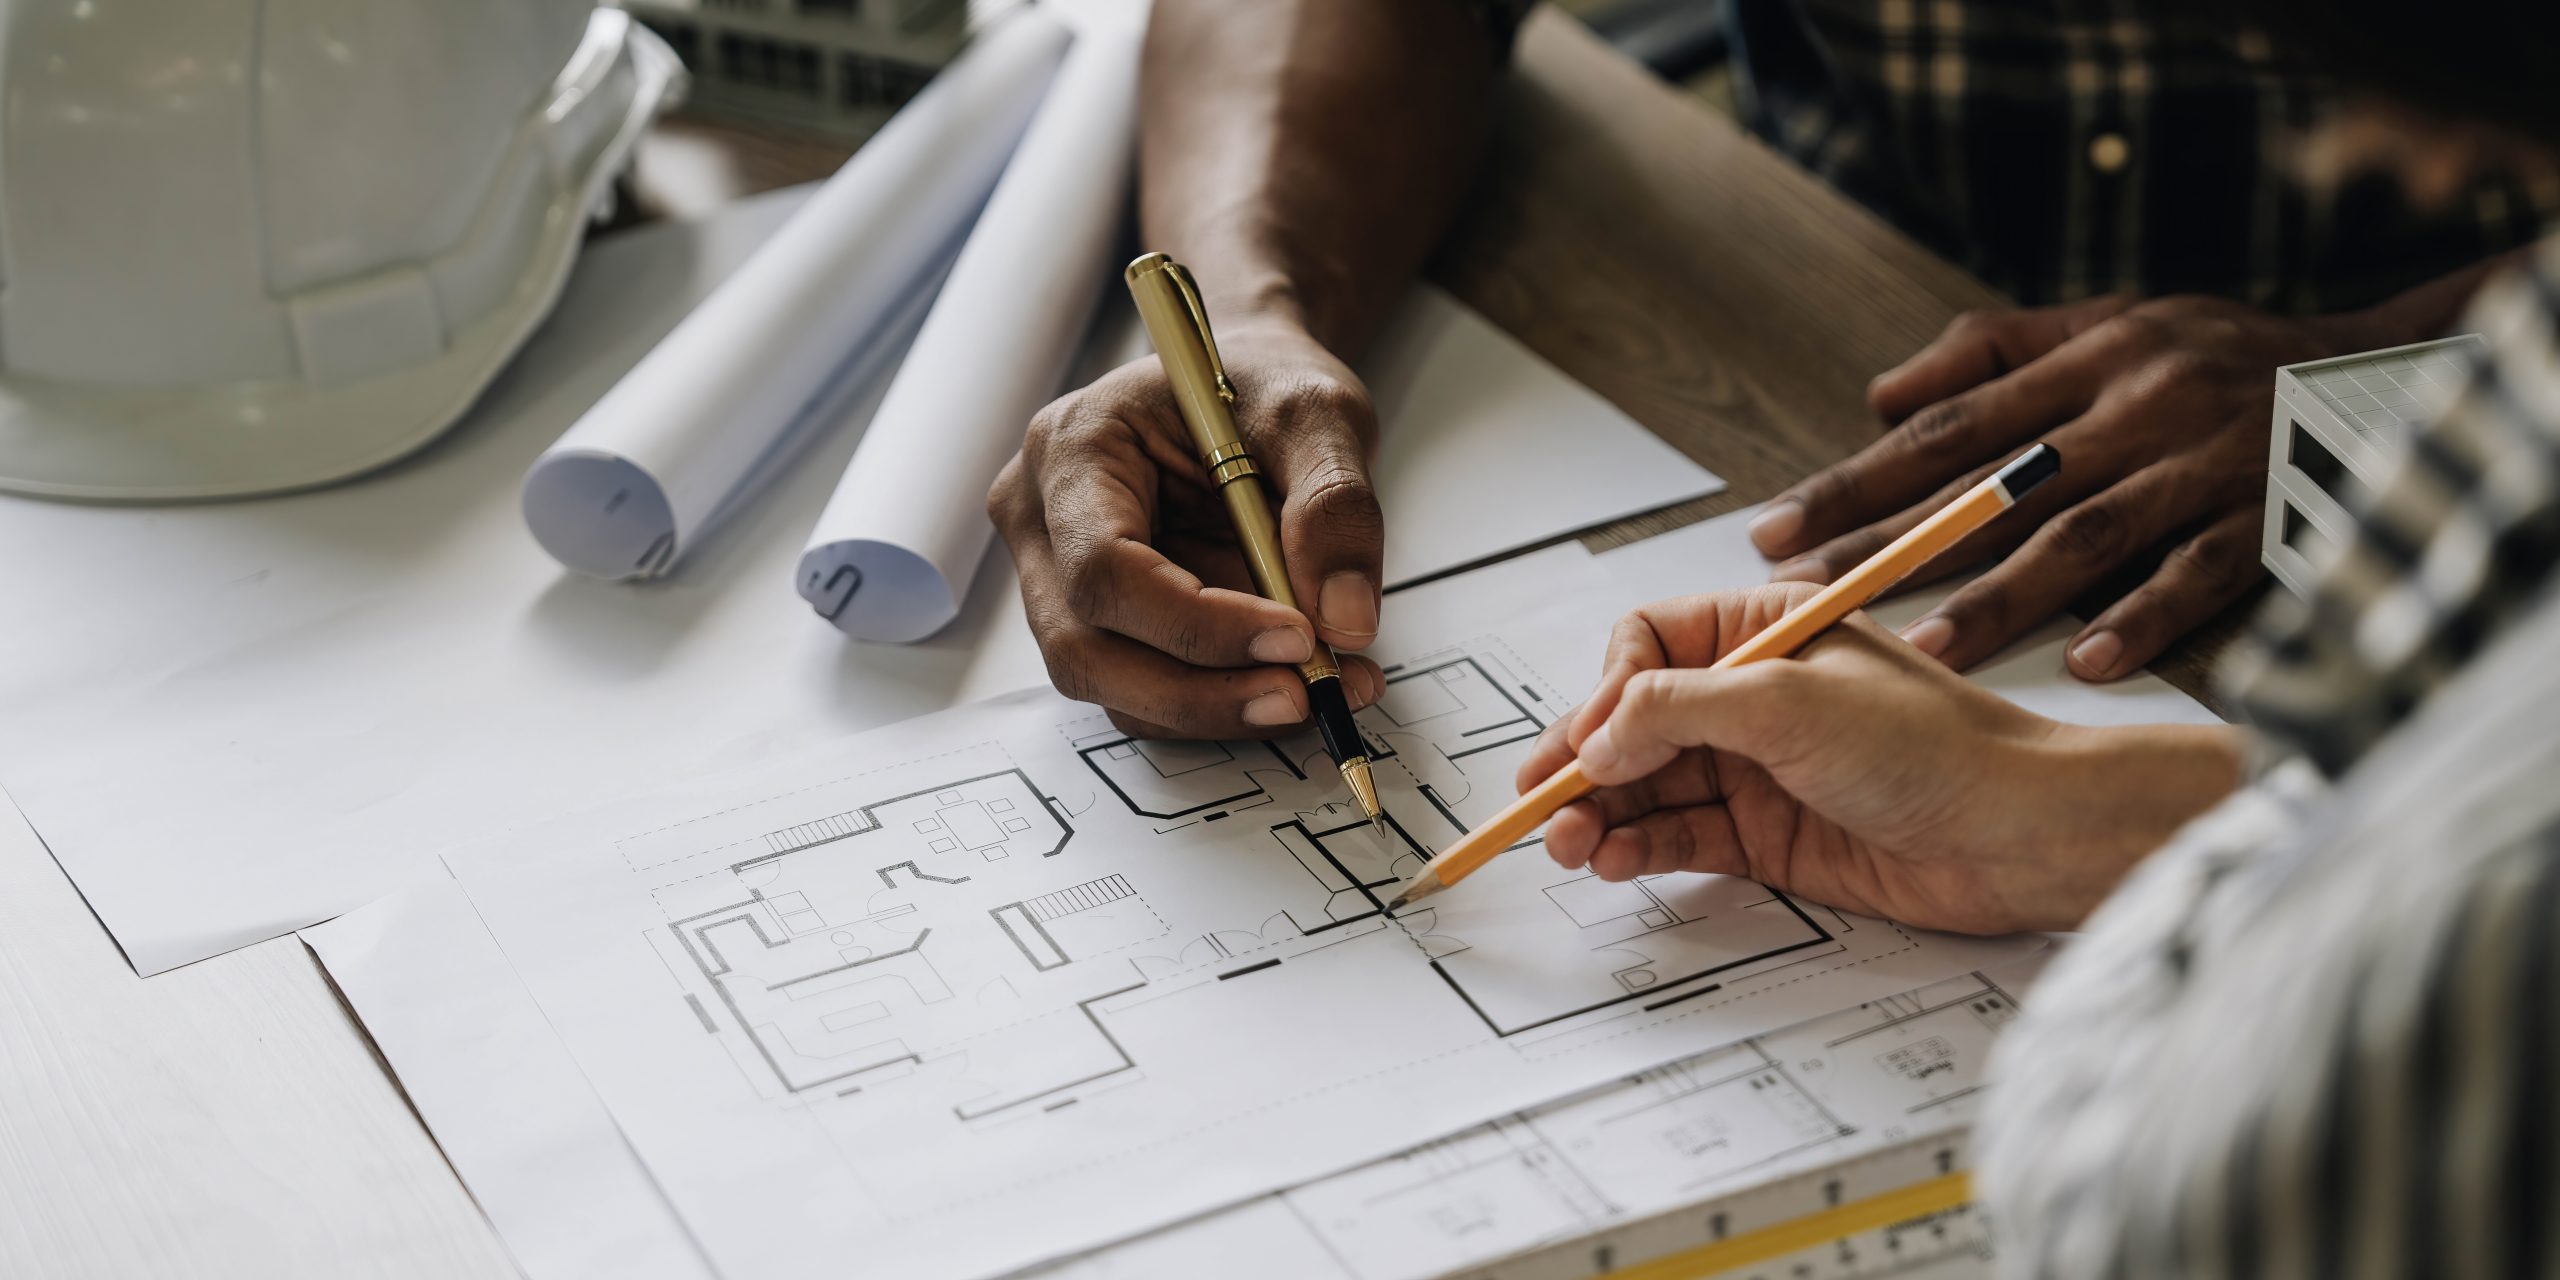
(1179, 326)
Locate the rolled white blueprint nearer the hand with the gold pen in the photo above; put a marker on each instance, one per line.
(908, 529)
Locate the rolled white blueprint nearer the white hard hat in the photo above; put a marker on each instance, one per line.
(636, 483)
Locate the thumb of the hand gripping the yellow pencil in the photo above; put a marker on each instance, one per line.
(1665, 713)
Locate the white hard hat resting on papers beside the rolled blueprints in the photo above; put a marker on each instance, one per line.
(270, 244)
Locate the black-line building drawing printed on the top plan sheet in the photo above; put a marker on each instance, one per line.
(951, 923)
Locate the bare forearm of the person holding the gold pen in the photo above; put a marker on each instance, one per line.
(1304, 155)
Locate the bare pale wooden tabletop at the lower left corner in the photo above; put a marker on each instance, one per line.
(219, 1120)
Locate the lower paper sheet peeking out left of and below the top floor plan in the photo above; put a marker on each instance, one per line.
(1804, 1097)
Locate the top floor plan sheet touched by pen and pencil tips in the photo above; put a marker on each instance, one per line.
(1005, 984)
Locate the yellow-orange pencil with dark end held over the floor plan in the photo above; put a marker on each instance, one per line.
(1944, 529)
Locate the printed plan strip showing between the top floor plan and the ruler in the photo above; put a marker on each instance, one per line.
(1494, 1202)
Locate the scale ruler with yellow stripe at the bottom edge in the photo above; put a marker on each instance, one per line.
(1896, 1212)
